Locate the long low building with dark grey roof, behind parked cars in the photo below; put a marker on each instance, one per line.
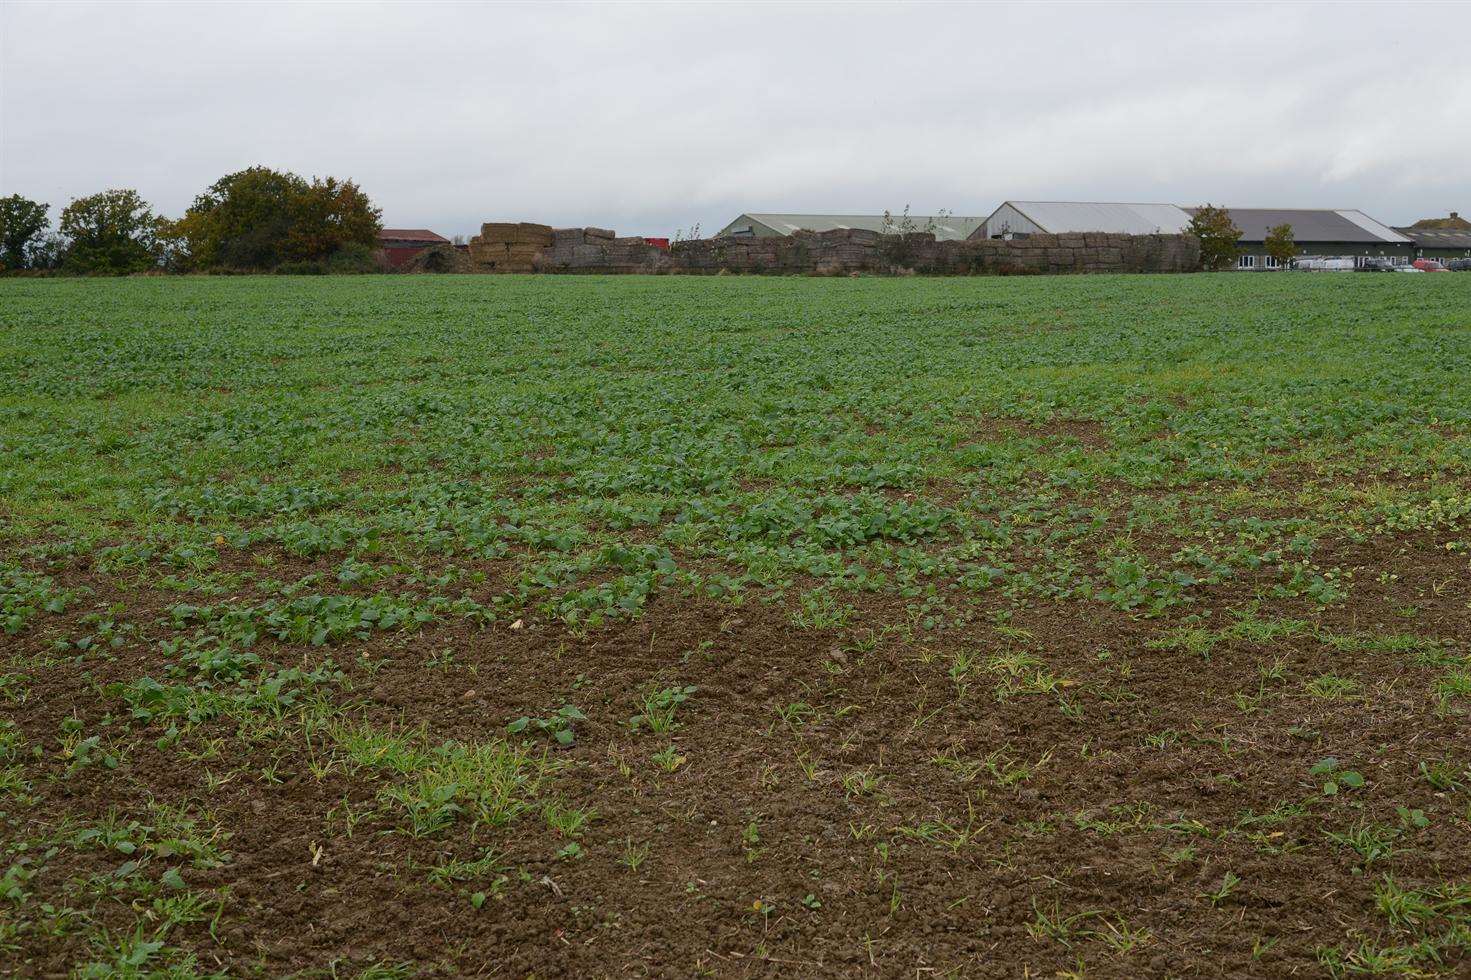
(1319, 233)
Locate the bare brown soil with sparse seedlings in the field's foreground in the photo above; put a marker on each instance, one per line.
(769, 854)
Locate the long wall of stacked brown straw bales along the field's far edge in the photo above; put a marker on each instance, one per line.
(529, 248)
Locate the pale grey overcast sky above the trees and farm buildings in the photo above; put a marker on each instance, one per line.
(649, 118)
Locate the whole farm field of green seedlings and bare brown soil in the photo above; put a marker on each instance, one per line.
(499, 626)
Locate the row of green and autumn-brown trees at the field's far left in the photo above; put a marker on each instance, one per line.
(252, 221)
